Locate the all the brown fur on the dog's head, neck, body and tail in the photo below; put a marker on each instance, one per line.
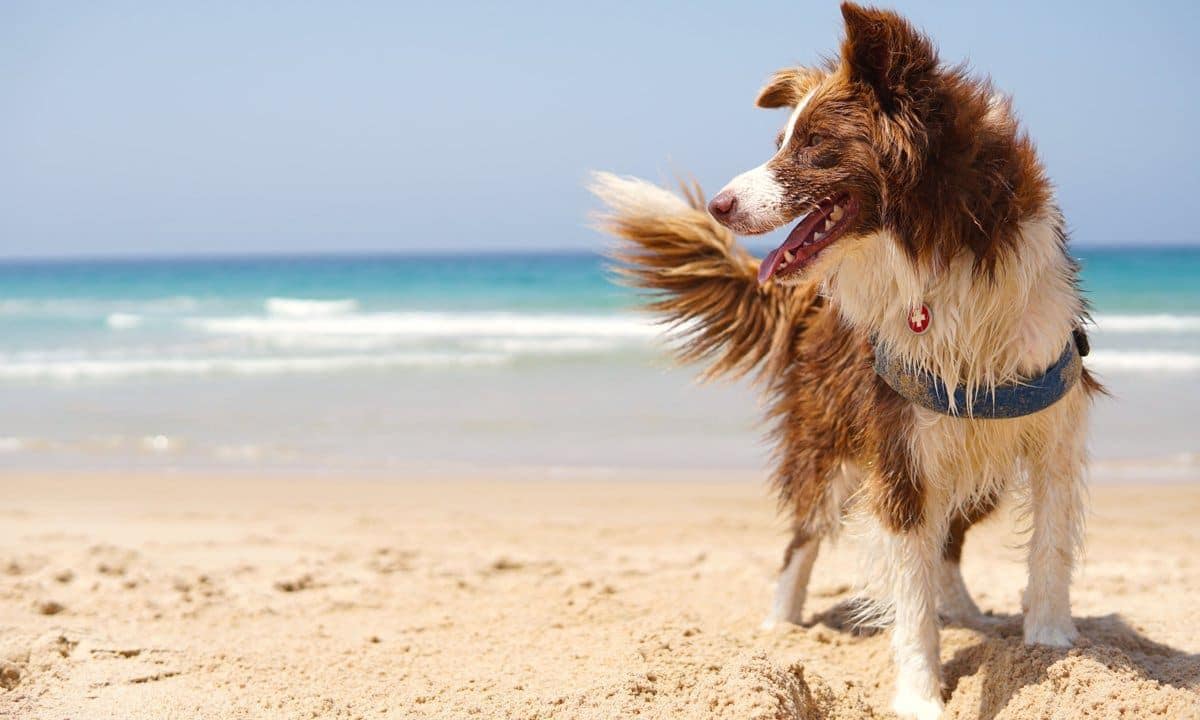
(932, 157)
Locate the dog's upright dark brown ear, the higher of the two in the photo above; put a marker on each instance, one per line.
(887, 53)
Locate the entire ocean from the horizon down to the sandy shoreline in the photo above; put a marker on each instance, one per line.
(393, 364)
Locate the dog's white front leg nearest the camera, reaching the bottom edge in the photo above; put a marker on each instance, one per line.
(913, 559)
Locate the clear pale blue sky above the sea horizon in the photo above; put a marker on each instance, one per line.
(172, 128)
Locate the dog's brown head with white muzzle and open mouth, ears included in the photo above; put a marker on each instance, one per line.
(856, 139)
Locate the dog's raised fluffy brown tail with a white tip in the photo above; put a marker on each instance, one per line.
(700, 281)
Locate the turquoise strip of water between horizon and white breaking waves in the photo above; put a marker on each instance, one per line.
(1148, 280)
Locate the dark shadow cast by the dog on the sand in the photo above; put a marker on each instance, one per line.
(1005, 664)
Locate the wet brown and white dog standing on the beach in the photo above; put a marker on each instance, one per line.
(928, 226)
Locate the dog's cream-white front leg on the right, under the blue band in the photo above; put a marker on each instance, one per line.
(1057, 499)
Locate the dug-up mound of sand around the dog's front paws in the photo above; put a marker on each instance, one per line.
(991, 676)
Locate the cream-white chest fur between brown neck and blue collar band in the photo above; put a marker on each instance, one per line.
(983, 333)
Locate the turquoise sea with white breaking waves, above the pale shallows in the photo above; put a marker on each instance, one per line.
(128, 319)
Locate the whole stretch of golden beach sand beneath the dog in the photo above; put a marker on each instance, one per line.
(536, 597)
